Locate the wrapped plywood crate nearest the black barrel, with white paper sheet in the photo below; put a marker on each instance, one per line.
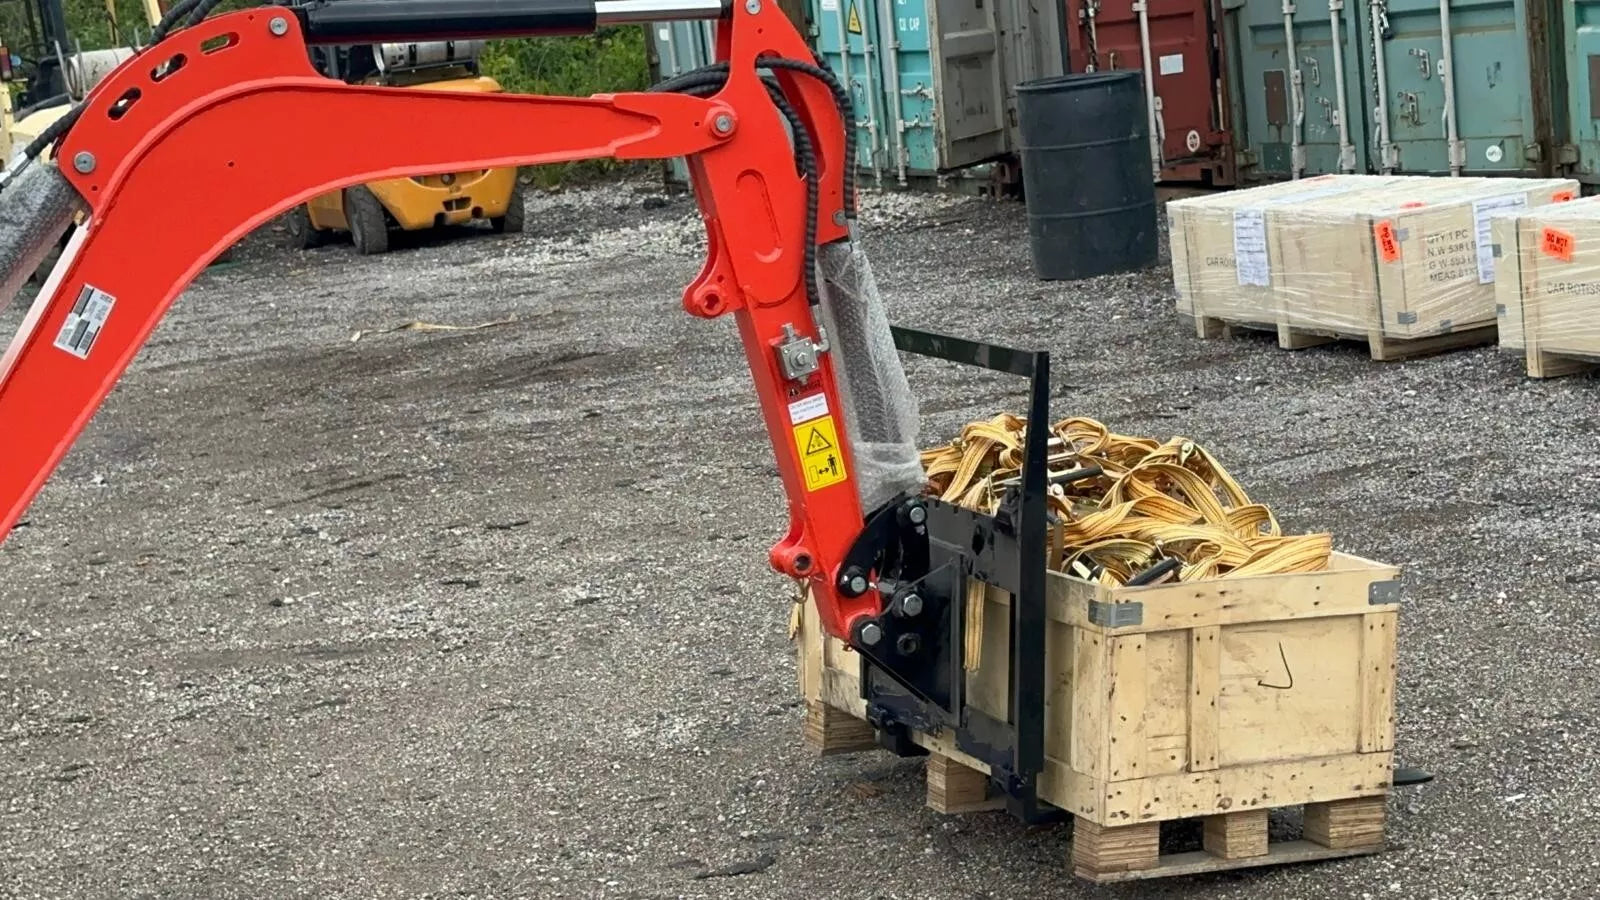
(1210, 235)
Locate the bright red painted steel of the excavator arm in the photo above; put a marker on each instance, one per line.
(214, 151)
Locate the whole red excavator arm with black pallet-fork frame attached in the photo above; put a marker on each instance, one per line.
(201, 139)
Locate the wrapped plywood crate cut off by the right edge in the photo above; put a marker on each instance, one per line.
(1548, 292)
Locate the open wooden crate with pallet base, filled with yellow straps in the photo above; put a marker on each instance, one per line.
(1218, 702)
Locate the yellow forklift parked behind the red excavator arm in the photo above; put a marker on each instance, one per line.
(370, 212)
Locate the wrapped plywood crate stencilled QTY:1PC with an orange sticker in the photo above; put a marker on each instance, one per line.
(1410, 270)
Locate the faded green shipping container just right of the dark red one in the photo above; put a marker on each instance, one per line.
(1398, 97)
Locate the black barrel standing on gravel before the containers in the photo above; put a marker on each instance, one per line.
(1086, 147)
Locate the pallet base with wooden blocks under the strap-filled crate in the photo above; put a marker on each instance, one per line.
(1132, 853)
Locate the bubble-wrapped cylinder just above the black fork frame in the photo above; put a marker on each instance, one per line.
(881, 411)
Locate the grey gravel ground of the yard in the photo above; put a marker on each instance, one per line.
(487, 614)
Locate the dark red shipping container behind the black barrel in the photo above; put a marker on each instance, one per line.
(1185, 55)
